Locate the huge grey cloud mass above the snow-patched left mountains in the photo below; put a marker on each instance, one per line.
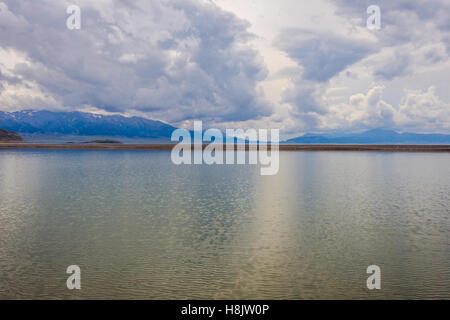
(174, 61)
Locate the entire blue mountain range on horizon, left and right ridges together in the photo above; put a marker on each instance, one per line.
(81, 124)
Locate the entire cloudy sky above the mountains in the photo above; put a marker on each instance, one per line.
(301, 66)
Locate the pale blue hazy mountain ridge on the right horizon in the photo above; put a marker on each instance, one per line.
(374, 136)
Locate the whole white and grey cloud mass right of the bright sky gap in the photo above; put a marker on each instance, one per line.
(413, 40)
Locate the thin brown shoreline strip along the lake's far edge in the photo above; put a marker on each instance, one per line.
(282, 147)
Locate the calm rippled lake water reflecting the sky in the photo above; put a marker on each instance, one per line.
(140, 227)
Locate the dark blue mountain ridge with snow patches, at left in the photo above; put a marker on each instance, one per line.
(83, 124)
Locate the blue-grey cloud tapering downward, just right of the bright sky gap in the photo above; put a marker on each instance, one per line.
(320, 56)
